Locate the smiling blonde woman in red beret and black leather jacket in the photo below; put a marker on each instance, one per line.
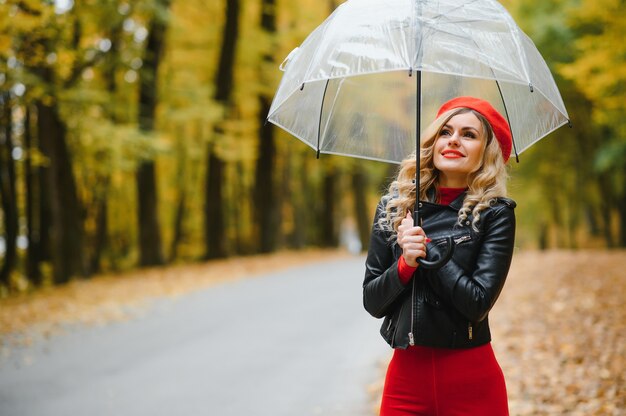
(437, 320)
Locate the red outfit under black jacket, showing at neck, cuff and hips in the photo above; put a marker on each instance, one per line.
(430, 381)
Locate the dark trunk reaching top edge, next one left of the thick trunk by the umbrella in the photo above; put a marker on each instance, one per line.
(151, 252)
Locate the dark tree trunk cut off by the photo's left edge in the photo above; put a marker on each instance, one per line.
(8, 194)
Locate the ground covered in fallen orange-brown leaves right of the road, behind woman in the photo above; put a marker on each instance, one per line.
(559, 332)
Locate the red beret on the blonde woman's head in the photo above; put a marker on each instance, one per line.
(498, 123)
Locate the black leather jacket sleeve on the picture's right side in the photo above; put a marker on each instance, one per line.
(474, 293)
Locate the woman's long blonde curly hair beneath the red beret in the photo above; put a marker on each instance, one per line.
(486, 183)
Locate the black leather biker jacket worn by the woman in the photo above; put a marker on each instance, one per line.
(449, 307)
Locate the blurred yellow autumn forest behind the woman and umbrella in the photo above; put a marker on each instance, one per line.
(133, 134)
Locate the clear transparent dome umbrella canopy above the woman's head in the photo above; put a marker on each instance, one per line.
(364, 81)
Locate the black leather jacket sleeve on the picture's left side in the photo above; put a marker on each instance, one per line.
(382, 285)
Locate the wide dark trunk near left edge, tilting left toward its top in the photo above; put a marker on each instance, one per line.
(66, 213)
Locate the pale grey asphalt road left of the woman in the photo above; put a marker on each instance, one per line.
(294, 343)
